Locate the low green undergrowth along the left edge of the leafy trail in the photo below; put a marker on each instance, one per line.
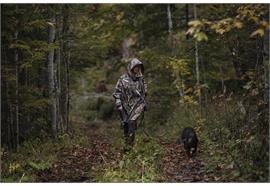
(33, 156)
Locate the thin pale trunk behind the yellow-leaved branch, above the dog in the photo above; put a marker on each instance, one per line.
(197, 60)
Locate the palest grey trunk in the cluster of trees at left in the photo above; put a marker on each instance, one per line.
(51, 76)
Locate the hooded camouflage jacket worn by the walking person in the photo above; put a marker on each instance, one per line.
(130, 90)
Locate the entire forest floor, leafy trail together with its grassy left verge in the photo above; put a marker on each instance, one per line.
(93, 153)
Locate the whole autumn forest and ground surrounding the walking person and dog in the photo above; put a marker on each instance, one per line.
(206, 66)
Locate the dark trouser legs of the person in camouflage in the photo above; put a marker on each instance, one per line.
(129, 133)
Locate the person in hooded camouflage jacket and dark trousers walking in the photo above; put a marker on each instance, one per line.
(129, 94)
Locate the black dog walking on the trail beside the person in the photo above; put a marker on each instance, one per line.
(190, 141)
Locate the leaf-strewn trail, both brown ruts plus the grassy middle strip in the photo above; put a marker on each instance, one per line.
(102, 160)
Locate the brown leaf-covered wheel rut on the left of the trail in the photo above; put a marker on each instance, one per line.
(77, 163)
